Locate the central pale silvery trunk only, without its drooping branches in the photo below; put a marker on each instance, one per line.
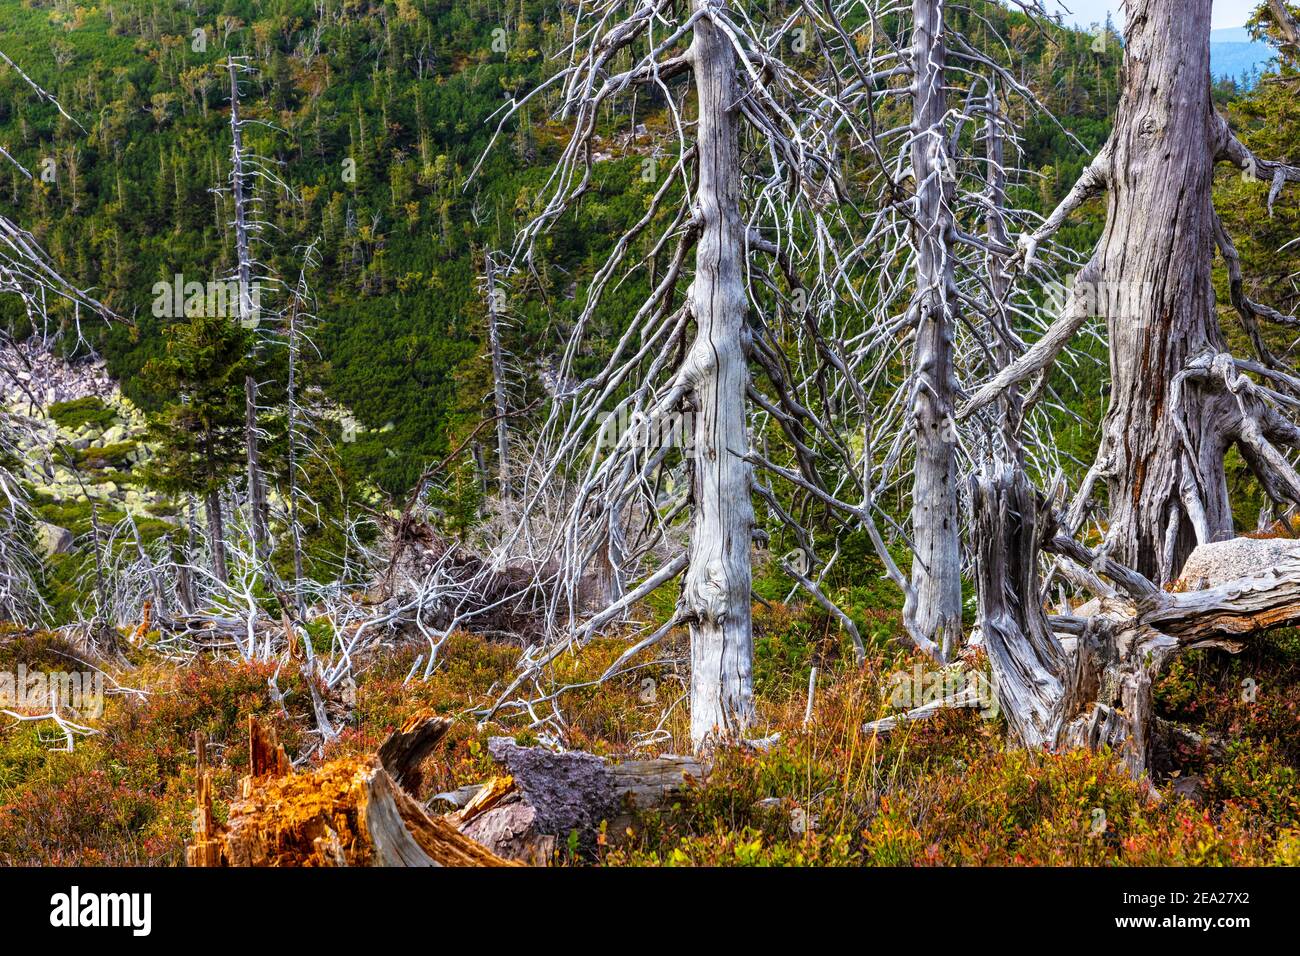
(717, 589)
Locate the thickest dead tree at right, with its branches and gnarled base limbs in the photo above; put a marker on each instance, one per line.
(1178, 400)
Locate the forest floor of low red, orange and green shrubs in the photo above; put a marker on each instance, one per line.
(938, 793)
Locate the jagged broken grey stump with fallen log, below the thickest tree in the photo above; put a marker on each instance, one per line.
(1095, 689)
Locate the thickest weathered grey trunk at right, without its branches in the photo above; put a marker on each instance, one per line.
(1164, 443)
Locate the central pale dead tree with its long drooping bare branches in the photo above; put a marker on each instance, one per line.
(753, 181)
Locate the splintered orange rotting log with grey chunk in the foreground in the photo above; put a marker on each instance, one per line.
(366, 812)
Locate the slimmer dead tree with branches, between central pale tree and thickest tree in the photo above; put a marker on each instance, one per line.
(948, 305)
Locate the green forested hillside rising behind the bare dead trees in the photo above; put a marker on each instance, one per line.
(375, 115)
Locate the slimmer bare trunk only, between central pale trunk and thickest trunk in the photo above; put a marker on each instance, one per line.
(937, 561)
